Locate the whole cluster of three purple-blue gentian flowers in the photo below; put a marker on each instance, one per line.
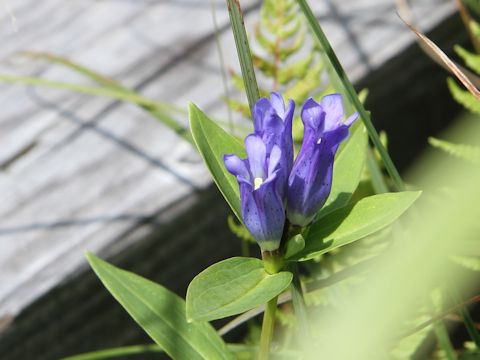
(272, 186)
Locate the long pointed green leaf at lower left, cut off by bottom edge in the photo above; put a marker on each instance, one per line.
(161, 314)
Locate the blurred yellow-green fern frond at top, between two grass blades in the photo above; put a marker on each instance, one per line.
(280, 38)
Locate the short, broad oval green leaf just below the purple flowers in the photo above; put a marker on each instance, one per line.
(231, 287)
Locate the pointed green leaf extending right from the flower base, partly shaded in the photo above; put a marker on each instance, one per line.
(355, 221)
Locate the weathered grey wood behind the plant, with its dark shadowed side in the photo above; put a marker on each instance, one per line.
(79, 172)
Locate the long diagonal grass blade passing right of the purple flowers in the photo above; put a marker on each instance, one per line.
(351, 94)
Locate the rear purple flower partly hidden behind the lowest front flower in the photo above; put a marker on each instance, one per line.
(273, 123)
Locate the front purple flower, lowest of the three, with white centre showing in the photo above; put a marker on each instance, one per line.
(261, 195)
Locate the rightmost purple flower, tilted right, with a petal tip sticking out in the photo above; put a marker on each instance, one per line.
(310, 180)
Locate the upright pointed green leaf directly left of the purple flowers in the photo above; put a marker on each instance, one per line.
(212, 143)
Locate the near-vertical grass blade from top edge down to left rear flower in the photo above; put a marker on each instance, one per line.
(243, 51)
